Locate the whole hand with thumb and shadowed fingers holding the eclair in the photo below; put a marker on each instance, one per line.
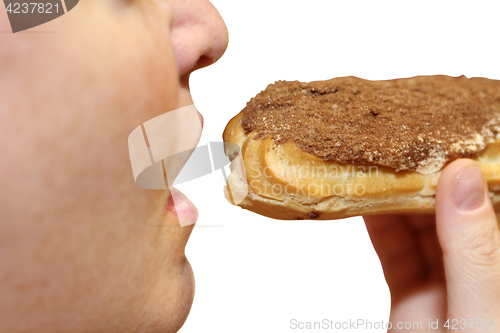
(444, 267)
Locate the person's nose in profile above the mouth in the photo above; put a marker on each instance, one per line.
(199, 35)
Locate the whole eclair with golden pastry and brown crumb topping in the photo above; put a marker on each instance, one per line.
(347, 146)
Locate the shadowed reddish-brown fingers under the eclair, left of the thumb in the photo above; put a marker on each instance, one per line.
(410, 257)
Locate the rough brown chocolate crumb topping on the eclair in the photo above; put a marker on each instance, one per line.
(398, 123)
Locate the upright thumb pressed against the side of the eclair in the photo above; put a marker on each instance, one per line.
(469, 237)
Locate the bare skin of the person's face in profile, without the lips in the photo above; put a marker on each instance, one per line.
(82, 247)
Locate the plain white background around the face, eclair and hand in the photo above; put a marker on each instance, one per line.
(255, 274)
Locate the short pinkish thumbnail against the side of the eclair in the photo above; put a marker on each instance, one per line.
(468, 188)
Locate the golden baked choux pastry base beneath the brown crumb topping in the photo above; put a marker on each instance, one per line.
(282, 181)
